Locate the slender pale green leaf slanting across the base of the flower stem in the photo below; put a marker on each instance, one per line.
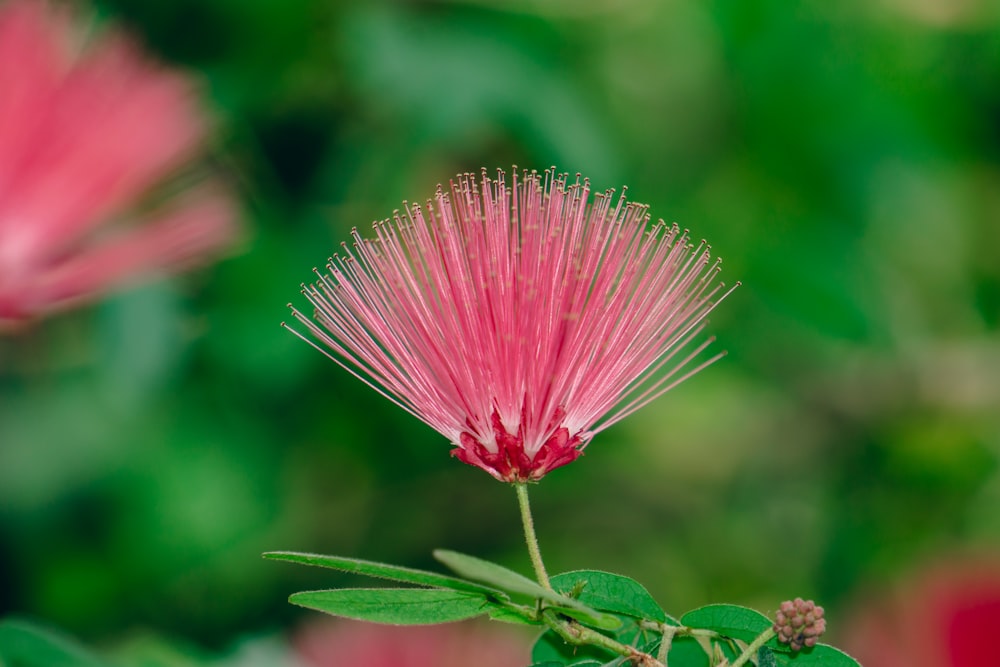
(513, 582)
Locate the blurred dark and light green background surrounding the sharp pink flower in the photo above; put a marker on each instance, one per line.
(844, 160)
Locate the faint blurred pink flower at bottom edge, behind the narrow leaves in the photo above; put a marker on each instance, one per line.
(348, 643)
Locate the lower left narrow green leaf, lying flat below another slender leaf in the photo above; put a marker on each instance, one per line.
(395, 606)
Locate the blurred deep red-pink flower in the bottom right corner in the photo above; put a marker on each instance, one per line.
(944, 616)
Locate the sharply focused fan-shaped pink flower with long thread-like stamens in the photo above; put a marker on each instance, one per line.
(517, 321)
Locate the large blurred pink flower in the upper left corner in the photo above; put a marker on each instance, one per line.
(88, 126)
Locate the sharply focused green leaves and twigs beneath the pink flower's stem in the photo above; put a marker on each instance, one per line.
(577, 603)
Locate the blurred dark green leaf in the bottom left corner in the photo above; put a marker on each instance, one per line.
(25, 644)
